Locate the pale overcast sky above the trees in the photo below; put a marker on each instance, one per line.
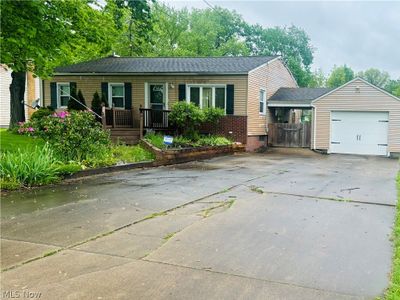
(361, 34)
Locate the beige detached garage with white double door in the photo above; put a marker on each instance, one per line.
(356, 118)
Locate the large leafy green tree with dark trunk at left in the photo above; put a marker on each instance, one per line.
(39, 35)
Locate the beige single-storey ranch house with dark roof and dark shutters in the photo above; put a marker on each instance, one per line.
(239, 85)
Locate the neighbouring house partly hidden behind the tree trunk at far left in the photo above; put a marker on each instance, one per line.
(32, 92)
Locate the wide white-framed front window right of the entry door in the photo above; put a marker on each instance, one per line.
(206, 96)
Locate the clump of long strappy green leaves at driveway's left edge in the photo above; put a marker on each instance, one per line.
(28, 167)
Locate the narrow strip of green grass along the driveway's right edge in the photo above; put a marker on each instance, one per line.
(393, 292)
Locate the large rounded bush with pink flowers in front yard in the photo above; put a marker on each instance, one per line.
(74, 136)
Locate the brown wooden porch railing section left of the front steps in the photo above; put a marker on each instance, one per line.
(117, 118)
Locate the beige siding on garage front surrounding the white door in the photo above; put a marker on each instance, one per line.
(347, 98)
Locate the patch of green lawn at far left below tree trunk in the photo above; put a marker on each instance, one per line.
(11, 142)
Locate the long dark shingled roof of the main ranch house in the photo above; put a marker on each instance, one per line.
(141, 65)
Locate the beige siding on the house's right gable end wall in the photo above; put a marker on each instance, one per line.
(271, 77)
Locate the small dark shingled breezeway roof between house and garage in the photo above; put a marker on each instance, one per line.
(296, 96)
